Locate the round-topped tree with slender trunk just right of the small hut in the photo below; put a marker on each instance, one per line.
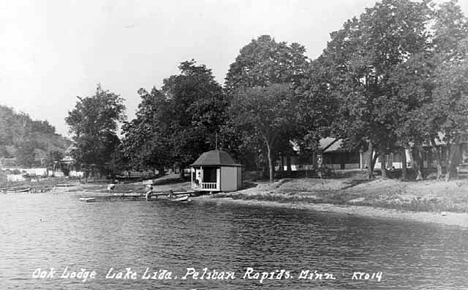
(265, 63)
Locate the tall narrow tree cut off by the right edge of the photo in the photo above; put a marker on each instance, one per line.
(450, 41)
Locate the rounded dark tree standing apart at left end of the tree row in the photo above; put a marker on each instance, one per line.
(94, 123)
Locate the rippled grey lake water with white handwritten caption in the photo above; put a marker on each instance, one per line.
(237, 244)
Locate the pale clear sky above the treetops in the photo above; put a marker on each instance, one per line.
(52, 51)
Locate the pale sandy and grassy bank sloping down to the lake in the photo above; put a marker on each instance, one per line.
(429, 201)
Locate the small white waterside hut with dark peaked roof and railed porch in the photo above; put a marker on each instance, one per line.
(216, 171)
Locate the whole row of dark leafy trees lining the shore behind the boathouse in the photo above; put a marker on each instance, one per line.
(394, 78)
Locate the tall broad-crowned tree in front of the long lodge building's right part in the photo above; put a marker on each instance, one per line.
(360, 60)
